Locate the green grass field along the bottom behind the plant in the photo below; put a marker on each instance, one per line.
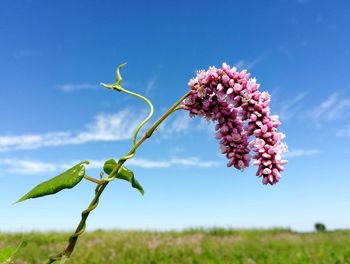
(191, 246)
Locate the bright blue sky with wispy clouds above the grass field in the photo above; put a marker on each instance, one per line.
(53, 112)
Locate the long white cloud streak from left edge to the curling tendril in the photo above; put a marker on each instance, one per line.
(105, 127)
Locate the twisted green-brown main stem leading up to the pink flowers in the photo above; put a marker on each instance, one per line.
(100, 188)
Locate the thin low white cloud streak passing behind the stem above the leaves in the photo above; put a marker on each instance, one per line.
(19, 166)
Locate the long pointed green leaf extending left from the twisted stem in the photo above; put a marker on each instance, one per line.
(66, 180)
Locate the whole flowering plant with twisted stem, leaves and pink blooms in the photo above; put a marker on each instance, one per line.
(223, 95)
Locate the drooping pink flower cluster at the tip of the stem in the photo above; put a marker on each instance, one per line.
(232, 99)
